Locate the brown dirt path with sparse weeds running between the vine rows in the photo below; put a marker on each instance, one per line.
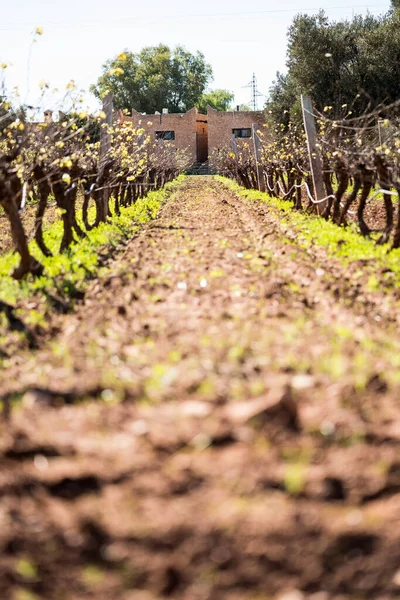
(218, 420)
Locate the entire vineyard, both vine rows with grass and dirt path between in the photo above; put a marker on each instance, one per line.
(199, 379)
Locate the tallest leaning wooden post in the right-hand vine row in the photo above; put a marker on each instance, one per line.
(313, 152)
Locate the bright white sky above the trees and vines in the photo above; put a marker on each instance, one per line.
(236, 37)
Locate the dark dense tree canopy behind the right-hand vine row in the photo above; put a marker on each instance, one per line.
(351, 65)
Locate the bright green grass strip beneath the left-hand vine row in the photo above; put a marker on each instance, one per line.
(66, 276)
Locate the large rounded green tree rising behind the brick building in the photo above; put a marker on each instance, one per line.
(155, 78)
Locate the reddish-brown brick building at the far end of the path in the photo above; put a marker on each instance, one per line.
(199, 134)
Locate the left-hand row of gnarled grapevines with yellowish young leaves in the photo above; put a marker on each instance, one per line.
(61, 162)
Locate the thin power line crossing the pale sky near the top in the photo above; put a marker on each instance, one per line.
(111, 22)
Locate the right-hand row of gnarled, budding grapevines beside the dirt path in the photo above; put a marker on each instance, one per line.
(355, 162)
